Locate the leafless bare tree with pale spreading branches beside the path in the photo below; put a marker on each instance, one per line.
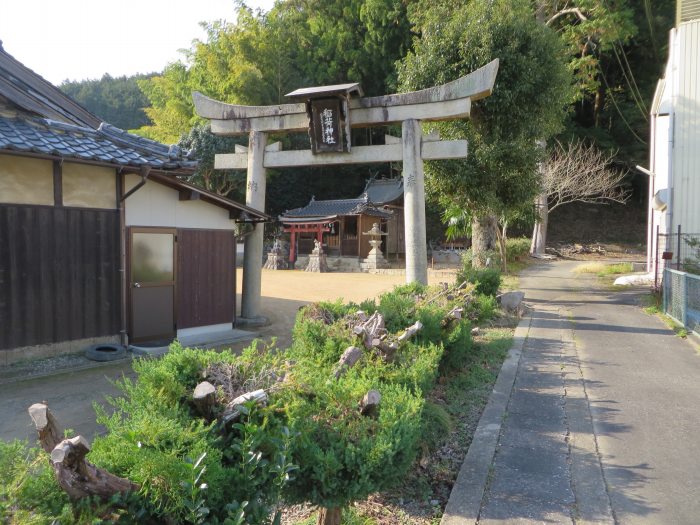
(576, 172)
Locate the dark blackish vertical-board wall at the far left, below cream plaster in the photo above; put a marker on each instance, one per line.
(59, 274)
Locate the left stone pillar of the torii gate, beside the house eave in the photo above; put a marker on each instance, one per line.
(255, 198)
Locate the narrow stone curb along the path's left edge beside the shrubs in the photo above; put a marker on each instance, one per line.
(465, 499)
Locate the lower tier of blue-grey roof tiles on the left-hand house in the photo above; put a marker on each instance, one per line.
(105, 144)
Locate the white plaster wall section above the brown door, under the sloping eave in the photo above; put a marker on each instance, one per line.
(158, 205)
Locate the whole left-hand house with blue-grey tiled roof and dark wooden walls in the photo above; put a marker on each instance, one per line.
(101, 239)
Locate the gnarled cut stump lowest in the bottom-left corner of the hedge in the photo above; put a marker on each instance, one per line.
(79, 478)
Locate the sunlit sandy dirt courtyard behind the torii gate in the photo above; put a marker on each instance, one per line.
(284, 292)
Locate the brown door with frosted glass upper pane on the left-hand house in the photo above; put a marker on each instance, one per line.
(152, 283)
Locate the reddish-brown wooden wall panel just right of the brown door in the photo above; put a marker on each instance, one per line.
(206, 278)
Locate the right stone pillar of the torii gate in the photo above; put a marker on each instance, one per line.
(414, 203)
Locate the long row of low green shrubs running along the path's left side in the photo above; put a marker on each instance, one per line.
(190, 471)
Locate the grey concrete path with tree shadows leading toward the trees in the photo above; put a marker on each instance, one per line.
(603, 418)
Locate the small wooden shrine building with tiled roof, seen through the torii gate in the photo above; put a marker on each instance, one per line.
(339, 223)
